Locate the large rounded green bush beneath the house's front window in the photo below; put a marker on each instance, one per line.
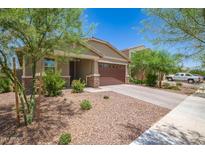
(53, 83)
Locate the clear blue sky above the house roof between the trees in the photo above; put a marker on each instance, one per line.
(121, 27)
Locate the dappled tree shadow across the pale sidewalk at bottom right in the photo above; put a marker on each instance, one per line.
(168, 134)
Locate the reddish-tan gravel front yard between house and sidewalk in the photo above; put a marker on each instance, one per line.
(117, 120)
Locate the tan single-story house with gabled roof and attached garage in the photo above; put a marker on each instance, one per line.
(99, 64)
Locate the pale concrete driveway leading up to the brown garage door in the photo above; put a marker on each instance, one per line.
(158, 97)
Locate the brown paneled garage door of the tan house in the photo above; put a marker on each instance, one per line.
(111, 74)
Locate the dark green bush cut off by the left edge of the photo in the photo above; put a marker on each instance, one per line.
(5, 85)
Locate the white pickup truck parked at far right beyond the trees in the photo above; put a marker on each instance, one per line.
(190, 78)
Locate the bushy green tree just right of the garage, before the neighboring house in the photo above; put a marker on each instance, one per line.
(154, 62)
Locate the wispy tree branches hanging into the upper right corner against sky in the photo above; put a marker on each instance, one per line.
(182, 28)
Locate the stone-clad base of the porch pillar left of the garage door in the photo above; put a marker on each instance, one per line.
(93, 80)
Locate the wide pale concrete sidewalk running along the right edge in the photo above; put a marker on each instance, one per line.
(183, 125)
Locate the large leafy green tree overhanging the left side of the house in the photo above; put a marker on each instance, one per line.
(37, 32)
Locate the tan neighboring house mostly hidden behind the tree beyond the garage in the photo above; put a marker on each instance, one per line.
(128, 52)
